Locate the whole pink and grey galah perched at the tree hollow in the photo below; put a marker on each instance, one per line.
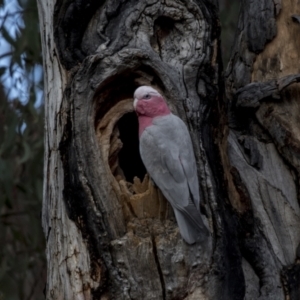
(167, 153)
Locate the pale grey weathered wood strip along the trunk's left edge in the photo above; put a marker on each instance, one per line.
(68, 261)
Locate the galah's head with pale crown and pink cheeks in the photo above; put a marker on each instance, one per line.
(149, 102)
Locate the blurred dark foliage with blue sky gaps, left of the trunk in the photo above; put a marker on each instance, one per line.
(22, 262)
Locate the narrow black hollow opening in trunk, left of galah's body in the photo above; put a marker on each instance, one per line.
(129, 156)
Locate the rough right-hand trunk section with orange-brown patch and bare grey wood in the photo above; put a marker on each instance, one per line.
(263, 146)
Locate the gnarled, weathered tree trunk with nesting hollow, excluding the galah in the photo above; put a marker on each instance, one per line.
(110, 232)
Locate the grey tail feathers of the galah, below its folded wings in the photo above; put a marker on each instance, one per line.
(191, 226)
